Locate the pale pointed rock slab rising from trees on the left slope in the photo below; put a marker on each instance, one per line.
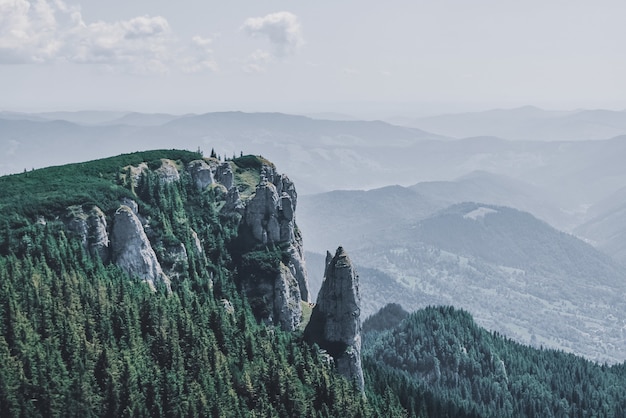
(131, 249)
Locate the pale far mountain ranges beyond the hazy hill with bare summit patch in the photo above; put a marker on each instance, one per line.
(563, 183)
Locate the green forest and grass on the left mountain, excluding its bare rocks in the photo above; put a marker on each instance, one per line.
(81, 337)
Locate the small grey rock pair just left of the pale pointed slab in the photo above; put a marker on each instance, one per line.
(91, 227)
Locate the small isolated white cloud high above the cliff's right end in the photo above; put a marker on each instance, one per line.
(282, 29)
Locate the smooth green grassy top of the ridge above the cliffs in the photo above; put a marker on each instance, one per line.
(48, 191)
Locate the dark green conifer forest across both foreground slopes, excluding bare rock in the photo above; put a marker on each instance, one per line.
(81, 335)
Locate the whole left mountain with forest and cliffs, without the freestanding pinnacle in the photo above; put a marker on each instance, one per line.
(133, 285)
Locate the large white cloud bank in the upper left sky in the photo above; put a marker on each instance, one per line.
(40, 31)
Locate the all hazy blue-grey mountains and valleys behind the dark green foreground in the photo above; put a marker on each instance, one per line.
(570, 178)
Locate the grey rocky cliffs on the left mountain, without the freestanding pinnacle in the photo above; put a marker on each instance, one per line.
(248, 191)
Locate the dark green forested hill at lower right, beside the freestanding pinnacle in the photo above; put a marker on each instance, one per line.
(442, 352)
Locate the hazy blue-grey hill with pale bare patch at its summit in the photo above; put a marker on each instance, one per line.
(514, 273)
